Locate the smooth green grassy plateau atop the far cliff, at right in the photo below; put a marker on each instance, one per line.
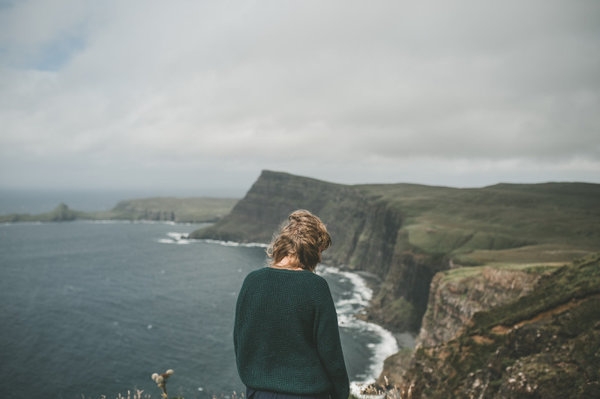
(501, 223)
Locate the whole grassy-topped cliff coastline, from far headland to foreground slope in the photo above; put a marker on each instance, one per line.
(486, 275)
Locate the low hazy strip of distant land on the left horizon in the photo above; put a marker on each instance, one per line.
(178, 210)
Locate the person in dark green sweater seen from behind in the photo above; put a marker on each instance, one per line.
(286, 336)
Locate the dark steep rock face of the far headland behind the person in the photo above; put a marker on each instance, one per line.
(366, 234)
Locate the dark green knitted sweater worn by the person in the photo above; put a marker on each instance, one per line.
(286, 334)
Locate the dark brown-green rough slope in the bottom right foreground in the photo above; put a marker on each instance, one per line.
(545, 344)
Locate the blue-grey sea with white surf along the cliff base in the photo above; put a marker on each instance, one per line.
(94, 308)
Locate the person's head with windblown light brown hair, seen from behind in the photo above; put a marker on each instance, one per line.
(301, 238)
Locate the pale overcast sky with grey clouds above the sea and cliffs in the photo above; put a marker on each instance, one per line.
(198, 97)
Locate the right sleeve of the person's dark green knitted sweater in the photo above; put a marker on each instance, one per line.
(329, 346)
